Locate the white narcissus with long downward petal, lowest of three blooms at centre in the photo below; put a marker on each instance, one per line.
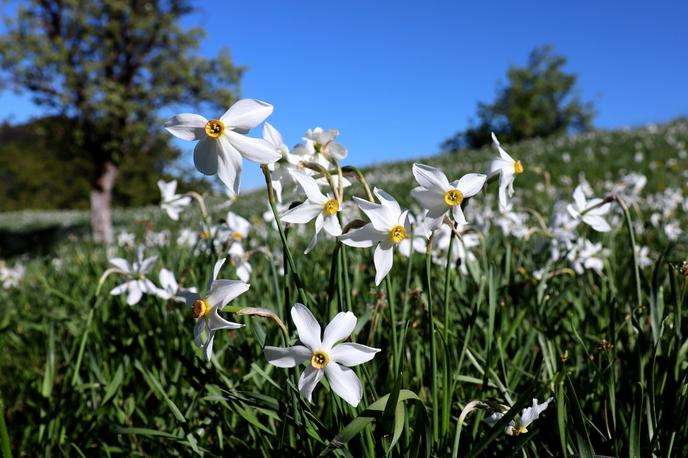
(389, 226)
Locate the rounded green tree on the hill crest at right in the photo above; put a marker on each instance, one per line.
(538, 100)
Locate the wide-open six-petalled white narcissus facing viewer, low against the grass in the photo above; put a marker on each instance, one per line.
(327, 357)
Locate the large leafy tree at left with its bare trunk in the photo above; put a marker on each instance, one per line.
(109, 66)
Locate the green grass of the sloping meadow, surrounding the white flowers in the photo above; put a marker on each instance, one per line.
(83, 373)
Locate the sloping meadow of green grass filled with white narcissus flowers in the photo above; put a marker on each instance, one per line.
(530, 302)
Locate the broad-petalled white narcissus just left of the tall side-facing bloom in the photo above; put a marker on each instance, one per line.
(438, 196)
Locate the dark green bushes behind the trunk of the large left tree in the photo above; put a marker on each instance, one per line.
(40, 167)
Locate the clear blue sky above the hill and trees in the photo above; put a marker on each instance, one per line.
(396, 78)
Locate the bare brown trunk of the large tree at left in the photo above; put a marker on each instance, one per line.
(101, 200)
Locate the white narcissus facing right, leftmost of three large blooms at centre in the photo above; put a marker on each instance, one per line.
(317, 205)
